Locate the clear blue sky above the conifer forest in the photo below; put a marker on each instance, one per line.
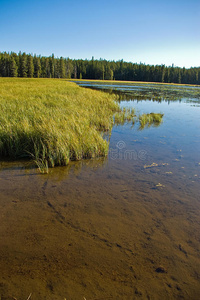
(147, 31)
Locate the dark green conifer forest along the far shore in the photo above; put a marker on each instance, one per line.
(34, 66)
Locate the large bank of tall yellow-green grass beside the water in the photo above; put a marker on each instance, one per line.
(52, 120)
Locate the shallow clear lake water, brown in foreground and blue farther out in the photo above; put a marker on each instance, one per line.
(123, 227)
